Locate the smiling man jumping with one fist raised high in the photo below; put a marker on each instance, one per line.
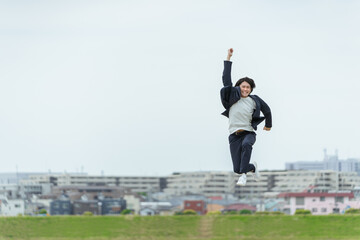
(243, 111)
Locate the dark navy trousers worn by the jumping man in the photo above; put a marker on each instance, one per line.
(240, 149)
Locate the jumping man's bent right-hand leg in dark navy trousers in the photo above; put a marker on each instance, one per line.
(246, 149)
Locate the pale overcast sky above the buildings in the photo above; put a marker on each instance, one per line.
(132, 87)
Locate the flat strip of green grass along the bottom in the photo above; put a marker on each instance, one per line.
(181, 227)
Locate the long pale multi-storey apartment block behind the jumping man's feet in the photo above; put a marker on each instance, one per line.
(223, 183)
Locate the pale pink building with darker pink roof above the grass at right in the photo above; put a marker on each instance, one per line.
(318, 203)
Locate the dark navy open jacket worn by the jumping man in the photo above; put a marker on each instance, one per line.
(230, 95)
